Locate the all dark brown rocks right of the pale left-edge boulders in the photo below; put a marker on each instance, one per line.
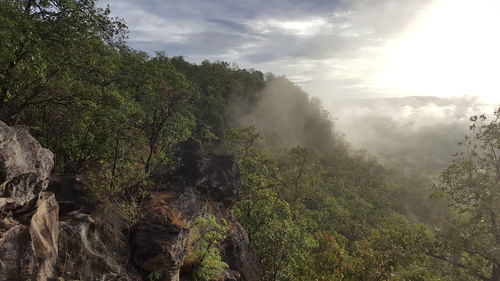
(97, 244)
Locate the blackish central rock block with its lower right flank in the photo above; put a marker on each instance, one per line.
(214, 185)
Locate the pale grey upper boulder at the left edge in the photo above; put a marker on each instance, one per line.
(24, 170)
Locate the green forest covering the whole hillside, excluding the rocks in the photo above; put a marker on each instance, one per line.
(313, 207)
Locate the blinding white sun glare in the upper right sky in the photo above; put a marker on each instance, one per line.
(453, 49)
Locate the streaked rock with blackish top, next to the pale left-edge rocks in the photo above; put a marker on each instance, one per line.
(94, 237)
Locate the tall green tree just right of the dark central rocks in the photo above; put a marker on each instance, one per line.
(280, 239)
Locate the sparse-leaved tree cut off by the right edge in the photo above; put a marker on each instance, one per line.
(471, 241)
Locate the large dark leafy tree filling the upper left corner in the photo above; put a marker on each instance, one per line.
(53, 52)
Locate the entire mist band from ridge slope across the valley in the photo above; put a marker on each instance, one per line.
(411, 134)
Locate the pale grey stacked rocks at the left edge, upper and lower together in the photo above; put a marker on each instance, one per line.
(28, 216)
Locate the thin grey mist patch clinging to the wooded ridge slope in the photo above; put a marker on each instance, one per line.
(287, 117)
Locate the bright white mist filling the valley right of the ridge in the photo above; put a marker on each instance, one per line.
(418, 133)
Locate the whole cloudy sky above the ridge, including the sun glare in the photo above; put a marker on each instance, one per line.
(334, 49)
